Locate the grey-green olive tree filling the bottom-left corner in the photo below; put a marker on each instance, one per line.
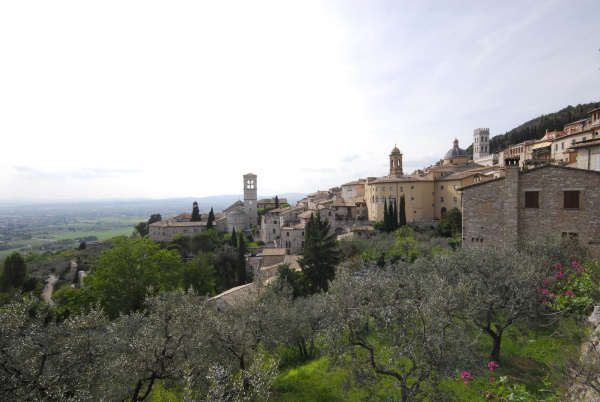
(41, 359)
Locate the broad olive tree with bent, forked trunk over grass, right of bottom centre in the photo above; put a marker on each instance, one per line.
(395, 322)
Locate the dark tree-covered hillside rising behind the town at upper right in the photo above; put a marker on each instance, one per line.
(536, 128)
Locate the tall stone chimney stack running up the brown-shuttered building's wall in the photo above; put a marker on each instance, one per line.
(511, 202)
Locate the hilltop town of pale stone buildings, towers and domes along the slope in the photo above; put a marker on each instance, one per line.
(550, 183)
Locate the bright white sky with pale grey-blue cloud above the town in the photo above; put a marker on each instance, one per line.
(157, 99)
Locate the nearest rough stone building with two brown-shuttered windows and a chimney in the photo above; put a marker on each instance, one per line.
(531, 204)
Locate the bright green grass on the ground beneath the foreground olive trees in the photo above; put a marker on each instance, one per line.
(528, 355)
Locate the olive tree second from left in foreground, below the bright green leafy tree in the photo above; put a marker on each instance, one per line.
(158, 344)
